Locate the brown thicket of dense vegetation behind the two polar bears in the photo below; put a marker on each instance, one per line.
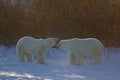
(63, 19)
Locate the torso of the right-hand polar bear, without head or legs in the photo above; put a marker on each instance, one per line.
(87, 45)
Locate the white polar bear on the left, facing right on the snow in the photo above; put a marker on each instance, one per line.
(28, 46)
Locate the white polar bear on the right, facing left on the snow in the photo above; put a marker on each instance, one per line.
(83, 48)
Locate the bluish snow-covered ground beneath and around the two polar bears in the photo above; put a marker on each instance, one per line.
(12, 69)
